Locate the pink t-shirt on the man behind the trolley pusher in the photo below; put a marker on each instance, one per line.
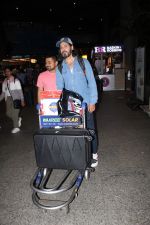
(47, 81)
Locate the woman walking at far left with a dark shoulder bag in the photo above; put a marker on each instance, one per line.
(11, 90)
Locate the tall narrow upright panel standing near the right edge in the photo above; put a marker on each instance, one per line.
(139, 72)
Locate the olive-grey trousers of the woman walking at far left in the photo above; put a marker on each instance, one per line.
(11, 112)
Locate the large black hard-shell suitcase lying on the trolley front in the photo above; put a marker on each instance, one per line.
(68, 149)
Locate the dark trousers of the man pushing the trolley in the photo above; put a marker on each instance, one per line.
(91, 125)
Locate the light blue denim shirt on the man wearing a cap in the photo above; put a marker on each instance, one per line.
(77, 81)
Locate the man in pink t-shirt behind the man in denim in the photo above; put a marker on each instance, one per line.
(47, 80)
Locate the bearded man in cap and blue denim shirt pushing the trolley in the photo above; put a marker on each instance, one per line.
(73, 78)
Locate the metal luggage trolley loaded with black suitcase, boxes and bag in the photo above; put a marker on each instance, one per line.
(62, 143)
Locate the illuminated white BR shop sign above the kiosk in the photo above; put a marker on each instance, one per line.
(108, 49)
